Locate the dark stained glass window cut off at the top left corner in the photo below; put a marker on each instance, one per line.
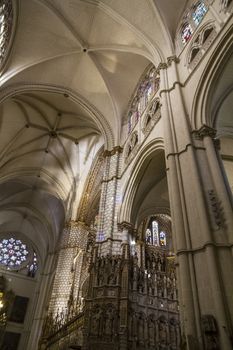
(6, 18)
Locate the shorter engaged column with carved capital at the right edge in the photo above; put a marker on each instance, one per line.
(219, 211)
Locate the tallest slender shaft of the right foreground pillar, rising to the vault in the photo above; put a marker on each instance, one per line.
(188, 299)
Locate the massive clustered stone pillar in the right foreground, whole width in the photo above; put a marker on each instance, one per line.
(201, 222)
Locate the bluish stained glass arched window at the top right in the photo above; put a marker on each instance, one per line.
(191, 21)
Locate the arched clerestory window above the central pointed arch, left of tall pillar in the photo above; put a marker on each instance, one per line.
(146, 89)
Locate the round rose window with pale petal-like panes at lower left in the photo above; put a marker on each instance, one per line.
(13, 252)
